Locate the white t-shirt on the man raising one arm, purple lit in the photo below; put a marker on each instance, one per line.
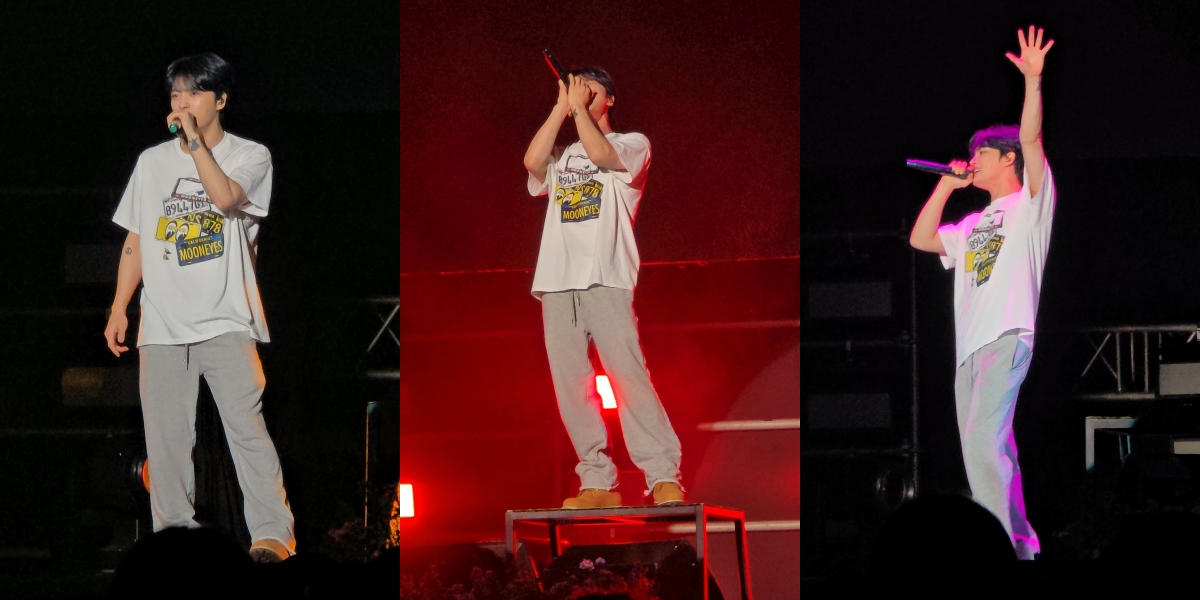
(999, 256)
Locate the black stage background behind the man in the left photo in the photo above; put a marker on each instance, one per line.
(82, 95)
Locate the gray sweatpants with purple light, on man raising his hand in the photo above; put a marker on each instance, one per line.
(986, 389)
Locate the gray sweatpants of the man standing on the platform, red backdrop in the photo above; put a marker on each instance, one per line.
(607, 317)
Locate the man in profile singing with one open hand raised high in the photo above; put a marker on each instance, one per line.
(998, 256)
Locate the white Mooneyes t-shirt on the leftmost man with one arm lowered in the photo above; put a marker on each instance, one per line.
(197, 262)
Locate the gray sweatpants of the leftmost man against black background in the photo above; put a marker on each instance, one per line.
(171, 385)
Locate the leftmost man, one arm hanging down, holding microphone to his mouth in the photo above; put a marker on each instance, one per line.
(193, 211)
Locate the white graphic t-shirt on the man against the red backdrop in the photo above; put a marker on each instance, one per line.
(589, 236)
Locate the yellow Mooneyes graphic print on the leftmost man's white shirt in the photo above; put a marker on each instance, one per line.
(190, 224)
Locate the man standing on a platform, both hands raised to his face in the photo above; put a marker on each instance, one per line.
(587, 269)
